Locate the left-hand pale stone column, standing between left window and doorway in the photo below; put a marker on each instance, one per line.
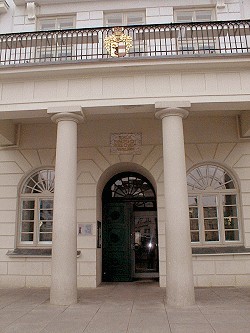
(64, 243)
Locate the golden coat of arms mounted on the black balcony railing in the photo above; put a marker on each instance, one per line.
(118, 44)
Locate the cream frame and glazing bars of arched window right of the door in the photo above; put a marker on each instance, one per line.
(220, 211)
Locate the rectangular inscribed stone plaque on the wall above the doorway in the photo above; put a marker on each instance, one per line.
(126, 143)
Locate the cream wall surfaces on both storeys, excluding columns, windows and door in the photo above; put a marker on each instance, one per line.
(207, 139)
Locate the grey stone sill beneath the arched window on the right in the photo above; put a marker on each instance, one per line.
(223, 250)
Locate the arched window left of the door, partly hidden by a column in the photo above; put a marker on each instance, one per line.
(36, 209)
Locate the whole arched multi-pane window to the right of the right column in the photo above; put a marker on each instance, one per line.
(213, 206)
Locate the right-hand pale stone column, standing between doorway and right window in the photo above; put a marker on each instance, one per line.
(180, 286)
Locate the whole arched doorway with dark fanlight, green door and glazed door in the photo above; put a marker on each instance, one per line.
(130, 237)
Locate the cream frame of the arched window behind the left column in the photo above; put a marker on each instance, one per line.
(36, 197)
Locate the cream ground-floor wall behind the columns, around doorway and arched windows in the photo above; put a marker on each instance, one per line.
(37, 149)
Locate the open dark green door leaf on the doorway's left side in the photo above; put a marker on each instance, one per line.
(116, 243)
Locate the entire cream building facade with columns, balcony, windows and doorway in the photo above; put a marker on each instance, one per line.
(124, 132)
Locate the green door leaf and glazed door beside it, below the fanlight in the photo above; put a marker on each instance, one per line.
(130, 248)
